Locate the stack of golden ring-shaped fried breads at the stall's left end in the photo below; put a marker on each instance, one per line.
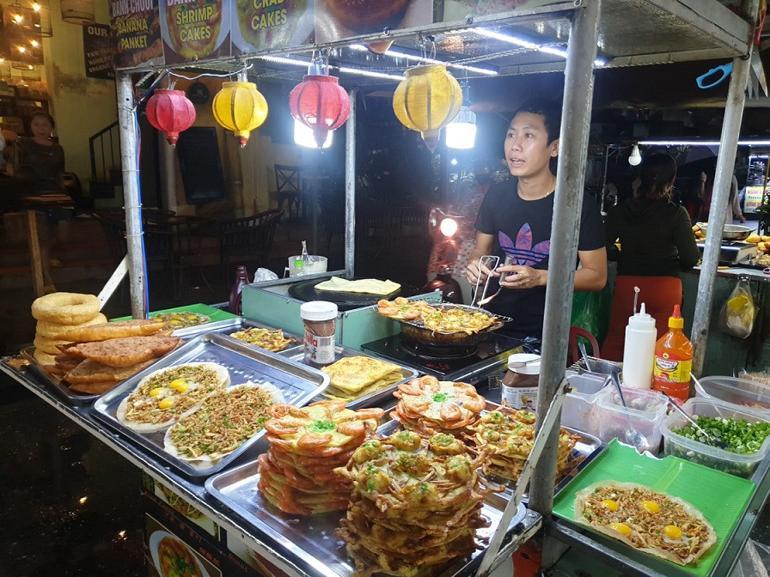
(56, 315)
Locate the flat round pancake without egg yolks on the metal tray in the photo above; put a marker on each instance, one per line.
(225, 420)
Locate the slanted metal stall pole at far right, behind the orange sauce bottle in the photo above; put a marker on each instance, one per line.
(728, 144)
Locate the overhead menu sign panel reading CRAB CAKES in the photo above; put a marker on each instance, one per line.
(260, 24)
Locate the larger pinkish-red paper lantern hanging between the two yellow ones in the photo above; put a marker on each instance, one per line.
(321, 104)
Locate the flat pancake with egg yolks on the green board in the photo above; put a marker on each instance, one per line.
(650, 521)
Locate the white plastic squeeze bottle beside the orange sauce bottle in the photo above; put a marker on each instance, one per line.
(639, 350)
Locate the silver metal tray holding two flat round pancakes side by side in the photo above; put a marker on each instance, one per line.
(298, 384)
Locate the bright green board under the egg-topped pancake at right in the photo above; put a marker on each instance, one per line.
(722, 498)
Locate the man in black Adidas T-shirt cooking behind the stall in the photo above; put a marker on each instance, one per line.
(514, 222)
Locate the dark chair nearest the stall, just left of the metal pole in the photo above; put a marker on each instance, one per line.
(247, 240)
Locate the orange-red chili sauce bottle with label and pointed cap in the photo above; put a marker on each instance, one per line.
(673, 360)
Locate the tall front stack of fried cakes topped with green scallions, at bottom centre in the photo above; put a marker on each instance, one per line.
(416, 504)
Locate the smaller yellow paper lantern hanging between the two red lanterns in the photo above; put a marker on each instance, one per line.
(240, 108)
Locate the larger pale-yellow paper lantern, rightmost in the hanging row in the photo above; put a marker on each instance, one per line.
(427, 100)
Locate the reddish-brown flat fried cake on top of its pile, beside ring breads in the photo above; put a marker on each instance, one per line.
(124, 352)
